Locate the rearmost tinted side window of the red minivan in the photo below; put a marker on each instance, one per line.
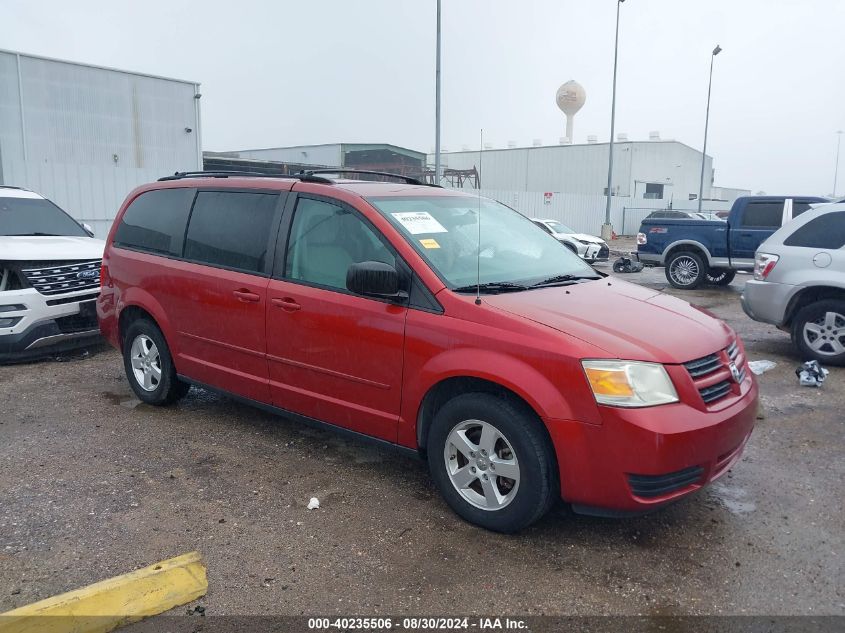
(155, 222)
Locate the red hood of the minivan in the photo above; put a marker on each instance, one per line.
(624, 320)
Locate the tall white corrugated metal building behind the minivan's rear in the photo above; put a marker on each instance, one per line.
(84, 136)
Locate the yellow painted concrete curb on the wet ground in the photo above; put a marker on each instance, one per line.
(111, 603)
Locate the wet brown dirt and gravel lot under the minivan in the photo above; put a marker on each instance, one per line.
(94, 484)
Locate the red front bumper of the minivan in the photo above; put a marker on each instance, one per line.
(638, 460)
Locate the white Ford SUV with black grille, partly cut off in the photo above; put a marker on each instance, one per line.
(49, 277)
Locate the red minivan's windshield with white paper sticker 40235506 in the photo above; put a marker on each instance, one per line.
(514, 253)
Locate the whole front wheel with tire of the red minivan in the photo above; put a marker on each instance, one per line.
(492, 462)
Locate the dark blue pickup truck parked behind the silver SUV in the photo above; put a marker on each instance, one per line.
(711, 251)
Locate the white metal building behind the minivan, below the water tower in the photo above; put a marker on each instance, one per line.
(655, 169)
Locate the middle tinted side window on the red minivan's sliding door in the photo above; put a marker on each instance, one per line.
(231, 229)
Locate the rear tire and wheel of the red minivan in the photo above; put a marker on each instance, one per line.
(149, 365)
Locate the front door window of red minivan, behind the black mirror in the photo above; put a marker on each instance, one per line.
(325, 240)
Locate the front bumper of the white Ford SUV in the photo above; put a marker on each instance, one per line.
(46, 324)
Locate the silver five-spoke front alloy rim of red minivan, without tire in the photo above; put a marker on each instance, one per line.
(482, 464)
